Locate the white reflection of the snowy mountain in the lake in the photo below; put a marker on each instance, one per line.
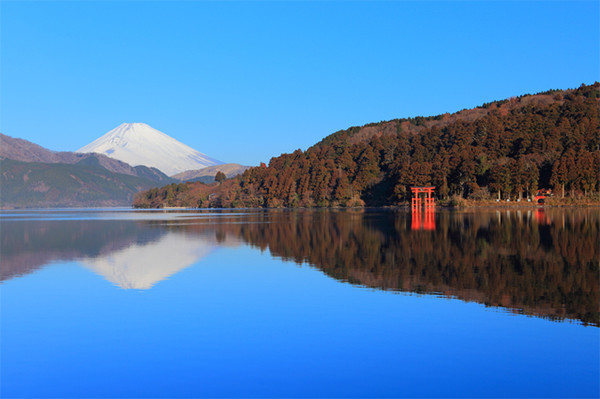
(140, 266)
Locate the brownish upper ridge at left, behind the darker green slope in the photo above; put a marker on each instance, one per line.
(25, 151)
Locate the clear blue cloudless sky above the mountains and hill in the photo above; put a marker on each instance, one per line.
(245, 81)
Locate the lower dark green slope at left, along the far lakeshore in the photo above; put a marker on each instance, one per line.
(36, 184)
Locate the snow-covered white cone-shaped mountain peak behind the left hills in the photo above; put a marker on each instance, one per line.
(140, 144)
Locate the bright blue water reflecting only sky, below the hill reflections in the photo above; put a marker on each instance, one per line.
(239, 322)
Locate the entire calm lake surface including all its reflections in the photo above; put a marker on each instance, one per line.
(121, 303)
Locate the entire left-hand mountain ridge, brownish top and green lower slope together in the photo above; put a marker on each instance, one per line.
(33, 176)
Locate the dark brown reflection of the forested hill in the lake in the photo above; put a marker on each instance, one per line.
(507, 259)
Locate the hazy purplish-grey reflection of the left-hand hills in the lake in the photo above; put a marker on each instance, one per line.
(28, 245)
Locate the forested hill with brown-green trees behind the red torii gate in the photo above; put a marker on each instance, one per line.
(505, 149)
